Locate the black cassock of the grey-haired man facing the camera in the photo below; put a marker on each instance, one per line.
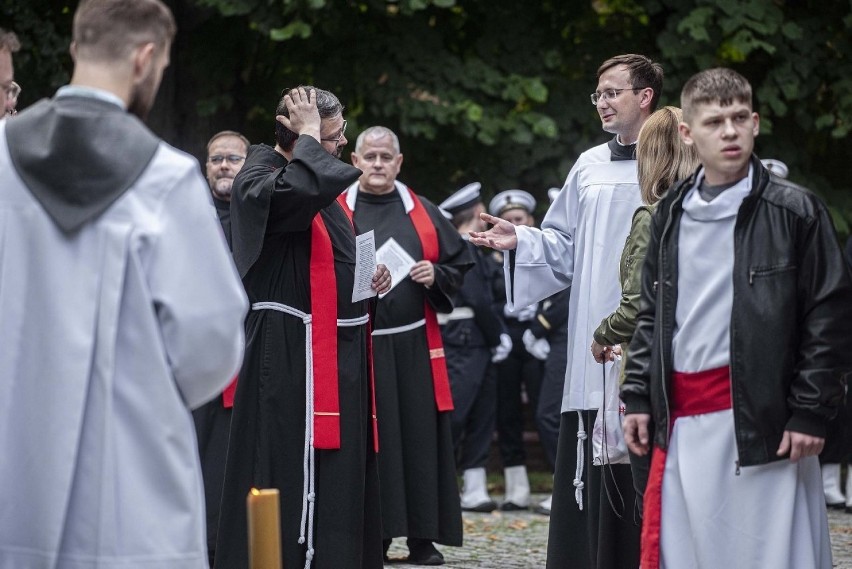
(420, 497)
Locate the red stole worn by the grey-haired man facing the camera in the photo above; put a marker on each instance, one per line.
(431, 252)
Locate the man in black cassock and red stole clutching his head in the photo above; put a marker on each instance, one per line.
(291, 239)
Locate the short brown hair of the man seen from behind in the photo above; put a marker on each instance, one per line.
(106, 30)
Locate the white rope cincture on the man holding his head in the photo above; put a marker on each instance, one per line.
(306, 526)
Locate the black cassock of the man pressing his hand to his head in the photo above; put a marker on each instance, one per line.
(271, 213)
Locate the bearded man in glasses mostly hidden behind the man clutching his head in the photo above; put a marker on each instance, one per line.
(226, 153)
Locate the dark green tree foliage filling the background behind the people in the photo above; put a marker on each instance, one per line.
(490, 91)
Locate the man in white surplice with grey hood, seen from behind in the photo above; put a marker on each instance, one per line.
(120, 309)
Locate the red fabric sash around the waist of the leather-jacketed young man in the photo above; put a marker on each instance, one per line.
(692, 394)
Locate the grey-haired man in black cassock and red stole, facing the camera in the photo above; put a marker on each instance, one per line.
(420, 497)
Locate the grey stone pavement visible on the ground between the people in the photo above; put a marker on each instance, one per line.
(518, 540)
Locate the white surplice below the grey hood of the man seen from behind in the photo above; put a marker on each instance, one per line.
(108, 336)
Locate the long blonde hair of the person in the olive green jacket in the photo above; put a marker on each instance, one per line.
(662, 158)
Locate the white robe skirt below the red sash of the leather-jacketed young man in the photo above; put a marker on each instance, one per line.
(717, 515)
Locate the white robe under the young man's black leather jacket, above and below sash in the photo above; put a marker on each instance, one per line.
(715, 513)
